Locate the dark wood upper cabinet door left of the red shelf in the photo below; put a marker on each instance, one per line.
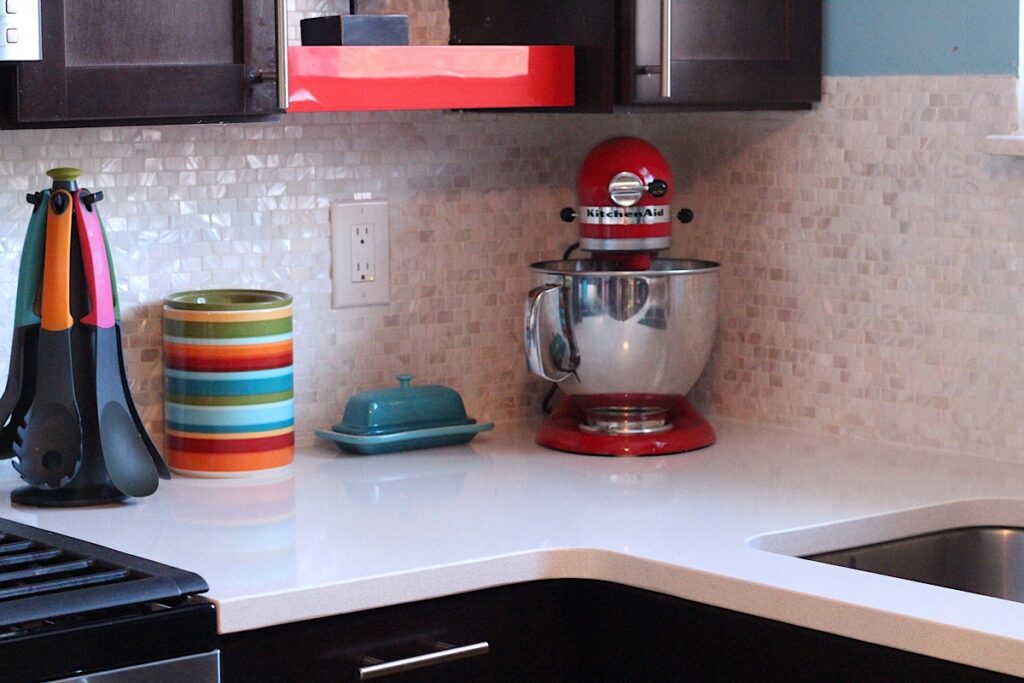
(123, 61)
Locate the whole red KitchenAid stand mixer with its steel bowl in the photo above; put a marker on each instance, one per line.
(625, 334)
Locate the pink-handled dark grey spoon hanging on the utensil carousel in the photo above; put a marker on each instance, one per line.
(129, 461)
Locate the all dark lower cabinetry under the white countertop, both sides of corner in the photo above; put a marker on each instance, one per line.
(572, 631)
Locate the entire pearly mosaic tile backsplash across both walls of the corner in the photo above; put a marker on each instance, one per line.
(874, 257)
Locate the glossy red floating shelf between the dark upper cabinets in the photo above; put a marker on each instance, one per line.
(404, 77)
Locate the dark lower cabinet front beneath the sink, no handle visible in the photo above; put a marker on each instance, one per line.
(635, 635)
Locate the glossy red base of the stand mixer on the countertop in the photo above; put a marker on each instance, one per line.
(690, 432)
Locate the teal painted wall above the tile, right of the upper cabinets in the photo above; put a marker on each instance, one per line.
(907, 37)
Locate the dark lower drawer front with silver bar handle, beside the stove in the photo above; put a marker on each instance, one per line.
(522, 625)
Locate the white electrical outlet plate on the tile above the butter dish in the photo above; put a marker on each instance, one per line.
(360, 254)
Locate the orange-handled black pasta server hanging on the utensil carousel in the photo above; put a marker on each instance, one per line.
(51, 453)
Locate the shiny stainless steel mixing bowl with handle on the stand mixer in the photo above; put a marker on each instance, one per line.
(603, 332)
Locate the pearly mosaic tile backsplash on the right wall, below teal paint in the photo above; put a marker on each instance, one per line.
(874, 263)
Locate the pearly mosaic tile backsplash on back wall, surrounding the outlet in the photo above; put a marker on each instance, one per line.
(474, 200)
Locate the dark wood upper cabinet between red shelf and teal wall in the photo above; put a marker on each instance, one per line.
(723, 54)
